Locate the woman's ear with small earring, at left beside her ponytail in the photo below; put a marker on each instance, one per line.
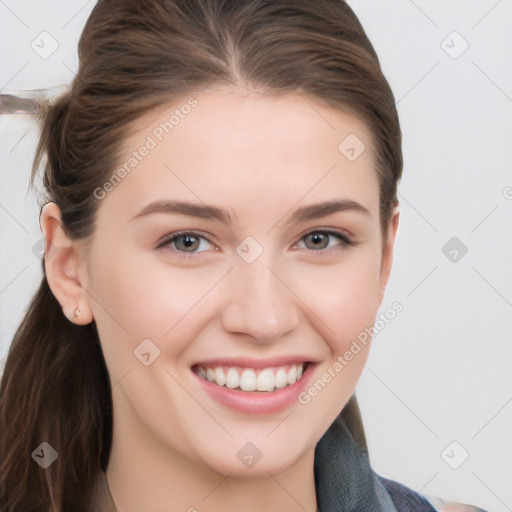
(63, 267)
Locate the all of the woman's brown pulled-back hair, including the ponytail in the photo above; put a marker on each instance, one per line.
(136, 55)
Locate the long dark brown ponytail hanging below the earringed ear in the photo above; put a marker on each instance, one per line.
(55, 389)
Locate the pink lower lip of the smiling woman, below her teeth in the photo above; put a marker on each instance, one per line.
(257, 402)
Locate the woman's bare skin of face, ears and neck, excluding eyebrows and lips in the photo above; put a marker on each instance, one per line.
(174, 447)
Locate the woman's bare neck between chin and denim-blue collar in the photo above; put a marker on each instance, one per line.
(144, 473)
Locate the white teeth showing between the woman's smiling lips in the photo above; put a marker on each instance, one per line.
(252, 379)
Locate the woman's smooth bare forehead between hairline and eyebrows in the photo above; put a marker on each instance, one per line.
(234, 146)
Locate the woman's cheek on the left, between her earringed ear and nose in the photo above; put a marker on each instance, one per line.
(134, 299)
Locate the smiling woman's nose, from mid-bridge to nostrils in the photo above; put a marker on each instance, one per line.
(260, 303)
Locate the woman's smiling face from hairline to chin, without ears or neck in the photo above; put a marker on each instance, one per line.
(239, 250)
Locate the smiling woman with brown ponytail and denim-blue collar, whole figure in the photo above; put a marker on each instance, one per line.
(220, 219)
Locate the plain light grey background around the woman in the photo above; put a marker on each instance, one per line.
(441, 370)
